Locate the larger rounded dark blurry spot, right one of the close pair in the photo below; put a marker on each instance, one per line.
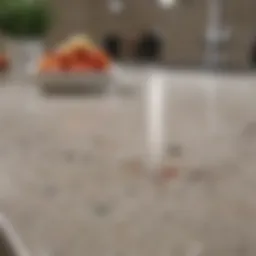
(149, 47)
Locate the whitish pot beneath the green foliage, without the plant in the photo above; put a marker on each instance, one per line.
(24, 55)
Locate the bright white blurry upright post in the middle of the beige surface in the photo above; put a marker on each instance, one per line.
(155, 134)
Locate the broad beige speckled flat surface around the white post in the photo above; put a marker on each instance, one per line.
(73, 182)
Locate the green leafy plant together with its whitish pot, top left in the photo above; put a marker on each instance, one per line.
(24, 23)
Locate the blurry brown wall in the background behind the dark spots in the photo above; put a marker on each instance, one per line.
(182, 26)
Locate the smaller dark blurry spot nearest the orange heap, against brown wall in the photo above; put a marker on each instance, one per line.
(113, 46)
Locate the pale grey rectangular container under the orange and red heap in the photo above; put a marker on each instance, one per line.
(74, 83)
